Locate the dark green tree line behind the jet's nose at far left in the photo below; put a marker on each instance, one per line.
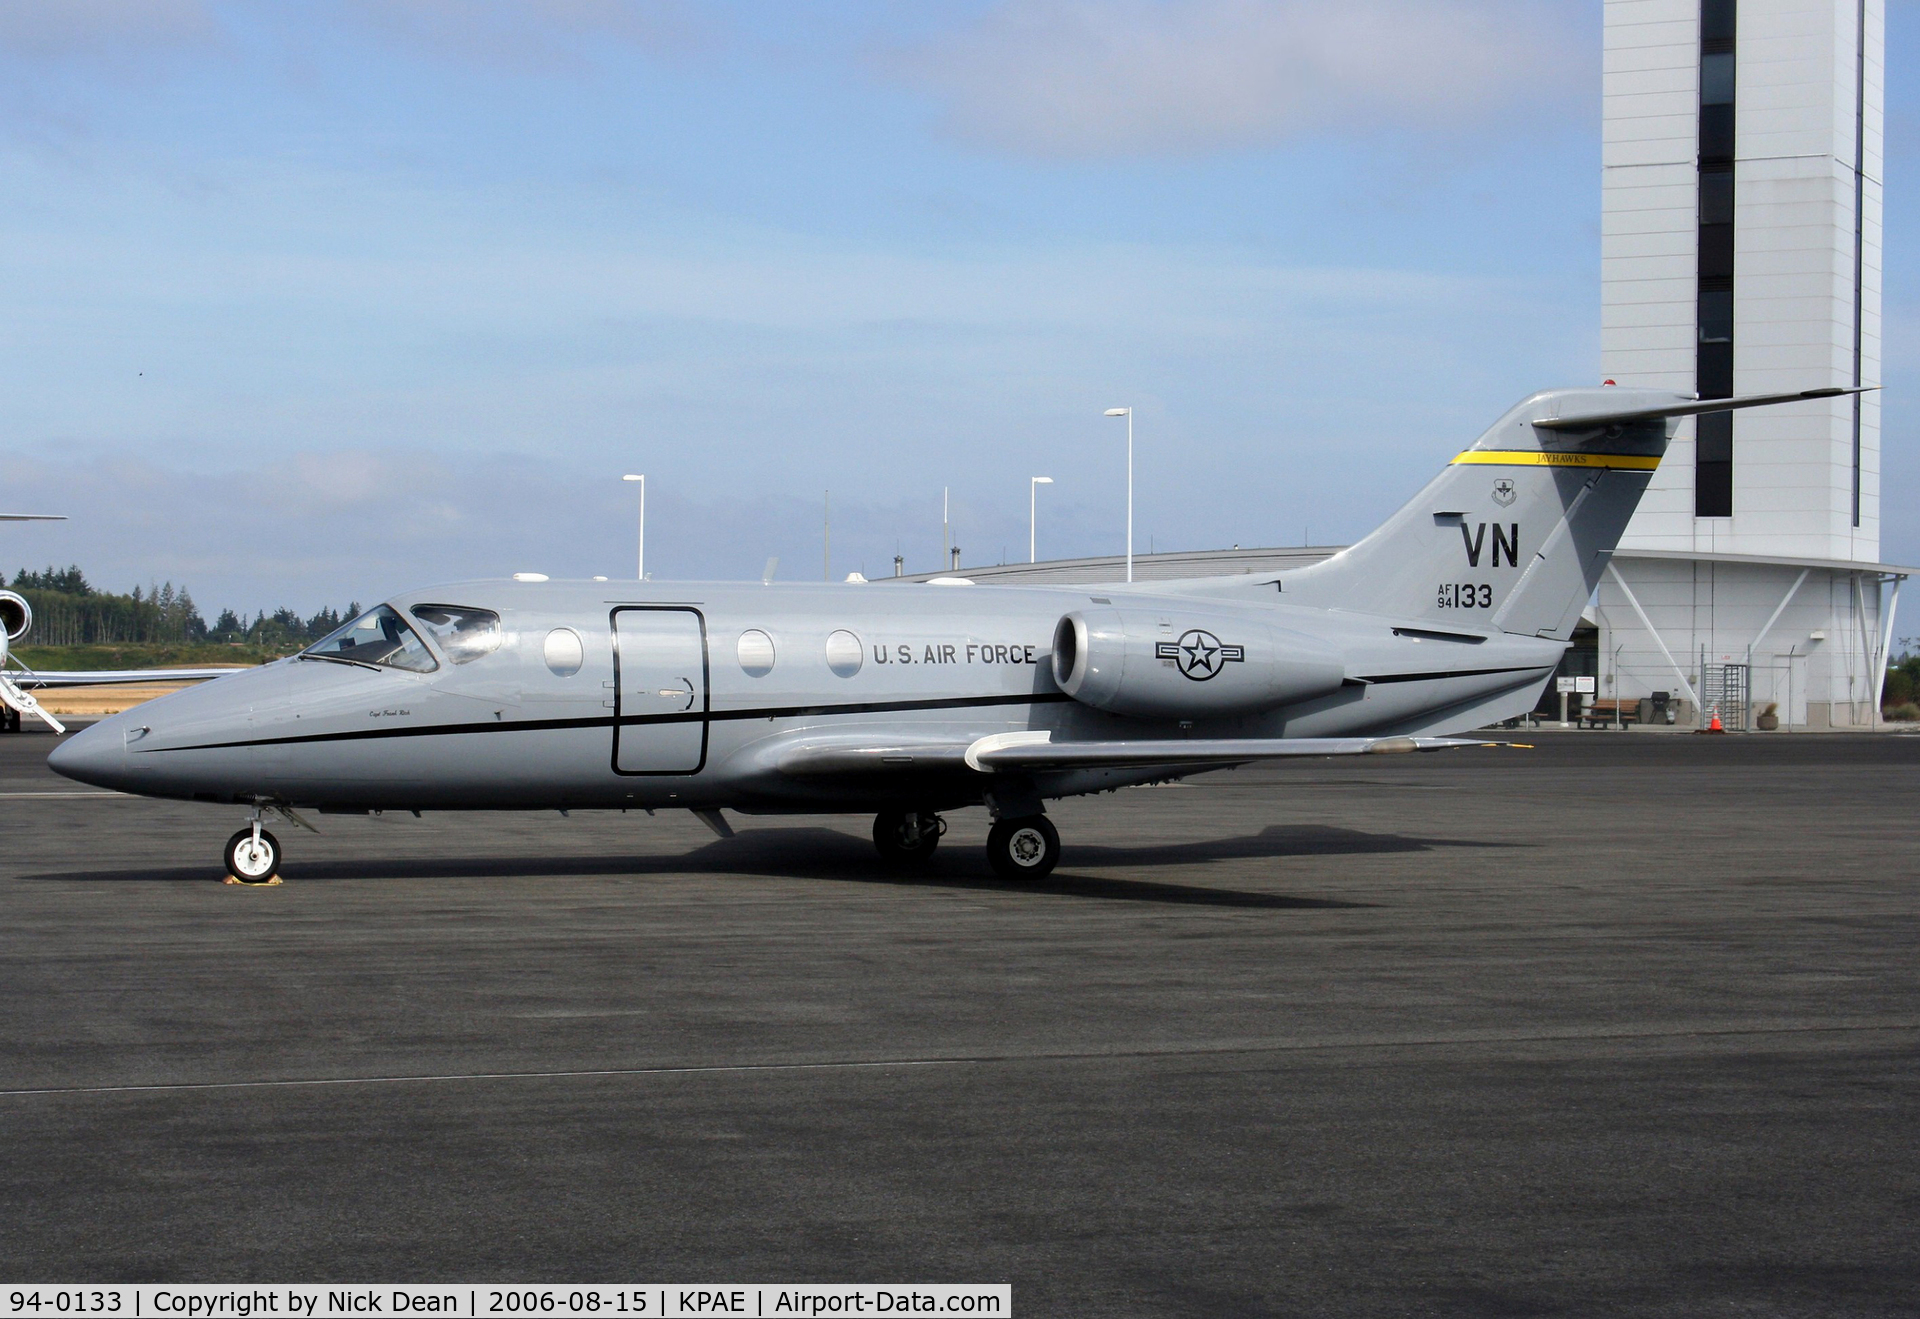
(70, 612)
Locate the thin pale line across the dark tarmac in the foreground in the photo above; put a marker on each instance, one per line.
(984, 1061)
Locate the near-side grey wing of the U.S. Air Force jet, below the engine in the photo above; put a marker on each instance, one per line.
(1038, 754)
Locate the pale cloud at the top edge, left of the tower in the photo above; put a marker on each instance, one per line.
(1145, 78)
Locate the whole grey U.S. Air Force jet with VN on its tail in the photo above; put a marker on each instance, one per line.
(909, 702)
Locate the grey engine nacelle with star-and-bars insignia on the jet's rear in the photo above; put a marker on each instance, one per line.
(1188, 663)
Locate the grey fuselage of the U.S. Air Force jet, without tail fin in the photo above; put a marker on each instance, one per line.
(671, 707)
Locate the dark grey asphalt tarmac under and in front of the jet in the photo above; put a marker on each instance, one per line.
(1620, 1026)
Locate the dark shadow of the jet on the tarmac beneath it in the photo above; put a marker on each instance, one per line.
(827, 855)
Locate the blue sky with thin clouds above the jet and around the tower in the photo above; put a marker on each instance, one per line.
(322, 302)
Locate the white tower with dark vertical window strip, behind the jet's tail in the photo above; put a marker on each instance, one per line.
(1740, 254)
